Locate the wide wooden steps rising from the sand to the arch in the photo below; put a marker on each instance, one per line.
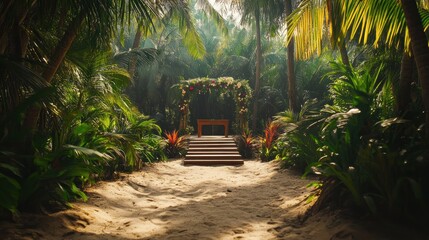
(212, 150)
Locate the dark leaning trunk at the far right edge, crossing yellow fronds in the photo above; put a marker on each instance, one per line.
(420, 48)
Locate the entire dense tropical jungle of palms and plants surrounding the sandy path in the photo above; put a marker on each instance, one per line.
(86, 90)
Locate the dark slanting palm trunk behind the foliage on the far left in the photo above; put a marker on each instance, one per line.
(32, 115)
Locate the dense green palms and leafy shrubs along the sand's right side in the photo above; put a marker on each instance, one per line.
(364, 155)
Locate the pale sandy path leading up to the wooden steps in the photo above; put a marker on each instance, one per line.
(171, 201)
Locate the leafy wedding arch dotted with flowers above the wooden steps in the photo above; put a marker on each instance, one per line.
(238, 89)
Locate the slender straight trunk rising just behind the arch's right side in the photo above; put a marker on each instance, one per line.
(257, 72)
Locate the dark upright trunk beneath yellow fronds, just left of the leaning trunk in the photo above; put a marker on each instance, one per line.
(403, 92)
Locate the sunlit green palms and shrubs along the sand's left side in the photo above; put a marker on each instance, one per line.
(94, 132)
